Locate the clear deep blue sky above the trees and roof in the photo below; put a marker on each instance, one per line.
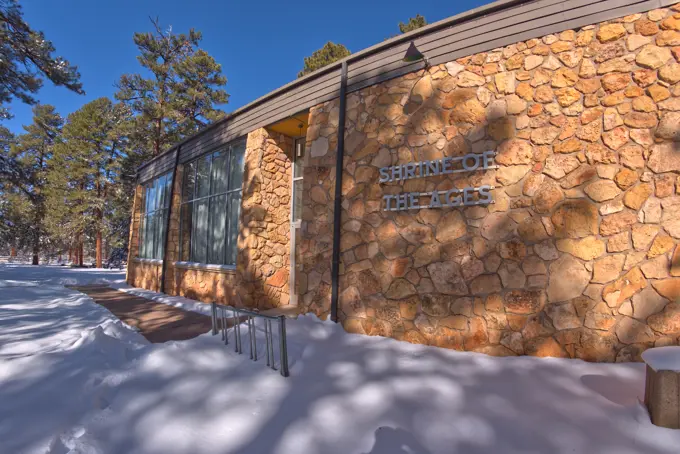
(259, 43)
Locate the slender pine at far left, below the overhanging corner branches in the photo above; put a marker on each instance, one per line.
(31, 156)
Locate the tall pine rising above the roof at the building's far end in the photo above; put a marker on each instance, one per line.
(179, 97)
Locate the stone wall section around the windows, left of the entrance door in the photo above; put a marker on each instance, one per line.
(261, 277)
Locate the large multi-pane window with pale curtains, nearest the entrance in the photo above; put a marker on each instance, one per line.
(211, 206)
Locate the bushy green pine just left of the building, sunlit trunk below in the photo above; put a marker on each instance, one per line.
(84, 172)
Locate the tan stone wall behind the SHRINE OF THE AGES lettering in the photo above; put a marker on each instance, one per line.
(577, 257)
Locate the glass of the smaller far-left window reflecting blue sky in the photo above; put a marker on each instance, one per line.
(154, 205)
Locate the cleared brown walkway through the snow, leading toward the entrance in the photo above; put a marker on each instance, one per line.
(157, 322)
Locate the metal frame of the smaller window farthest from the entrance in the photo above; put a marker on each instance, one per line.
(162, 195)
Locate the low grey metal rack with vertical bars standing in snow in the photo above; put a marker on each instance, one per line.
(220, 317)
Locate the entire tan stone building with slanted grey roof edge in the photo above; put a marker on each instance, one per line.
(517, 193)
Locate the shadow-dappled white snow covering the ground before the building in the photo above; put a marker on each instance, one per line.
(74, 379)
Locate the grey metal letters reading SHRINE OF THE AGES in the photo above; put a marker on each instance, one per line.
(453, 197)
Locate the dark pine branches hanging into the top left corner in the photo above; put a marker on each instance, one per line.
(25, 56)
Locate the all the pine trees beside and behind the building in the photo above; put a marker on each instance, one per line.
(66, 184)
